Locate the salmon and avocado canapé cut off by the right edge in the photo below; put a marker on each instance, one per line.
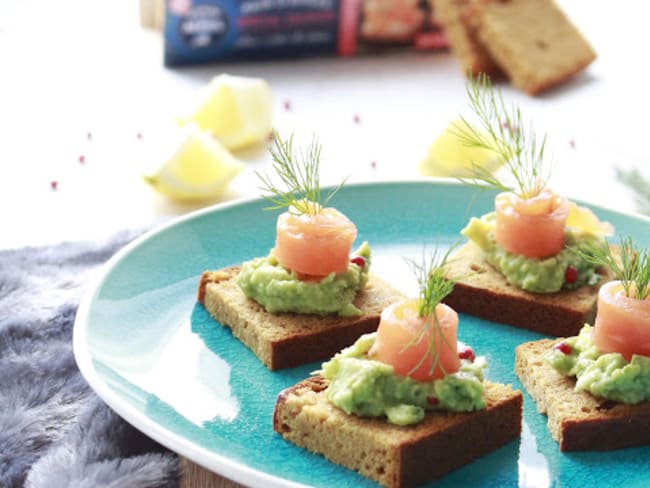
(595, 387)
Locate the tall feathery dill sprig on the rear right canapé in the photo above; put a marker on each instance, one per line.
(502, 130)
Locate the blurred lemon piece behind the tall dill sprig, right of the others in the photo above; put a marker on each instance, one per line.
(448, 156)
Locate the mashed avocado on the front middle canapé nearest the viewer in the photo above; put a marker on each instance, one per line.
(366, 387)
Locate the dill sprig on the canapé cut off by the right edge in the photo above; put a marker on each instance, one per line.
(631, 266)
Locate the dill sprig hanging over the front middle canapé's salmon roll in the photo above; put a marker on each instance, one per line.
(433, 287)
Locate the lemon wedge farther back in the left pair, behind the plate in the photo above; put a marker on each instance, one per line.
(235, 109)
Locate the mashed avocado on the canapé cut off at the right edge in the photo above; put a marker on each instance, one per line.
(603, 375)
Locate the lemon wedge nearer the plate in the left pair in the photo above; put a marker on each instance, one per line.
(200, 168)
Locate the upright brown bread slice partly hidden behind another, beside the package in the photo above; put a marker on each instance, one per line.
(455, 16)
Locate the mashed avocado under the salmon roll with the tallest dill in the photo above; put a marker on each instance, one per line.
(537, 275)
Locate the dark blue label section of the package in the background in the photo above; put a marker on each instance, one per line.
(199, 31)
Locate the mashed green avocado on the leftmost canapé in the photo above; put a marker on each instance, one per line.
(279, 289)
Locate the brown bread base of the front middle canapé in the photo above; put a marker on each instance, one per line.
(396, 456)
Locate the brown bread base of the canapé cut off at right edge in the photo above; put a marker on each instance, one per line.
(578, 420)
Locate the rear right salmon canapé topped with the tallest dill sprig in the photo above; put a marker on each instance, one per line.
(520, 265)
